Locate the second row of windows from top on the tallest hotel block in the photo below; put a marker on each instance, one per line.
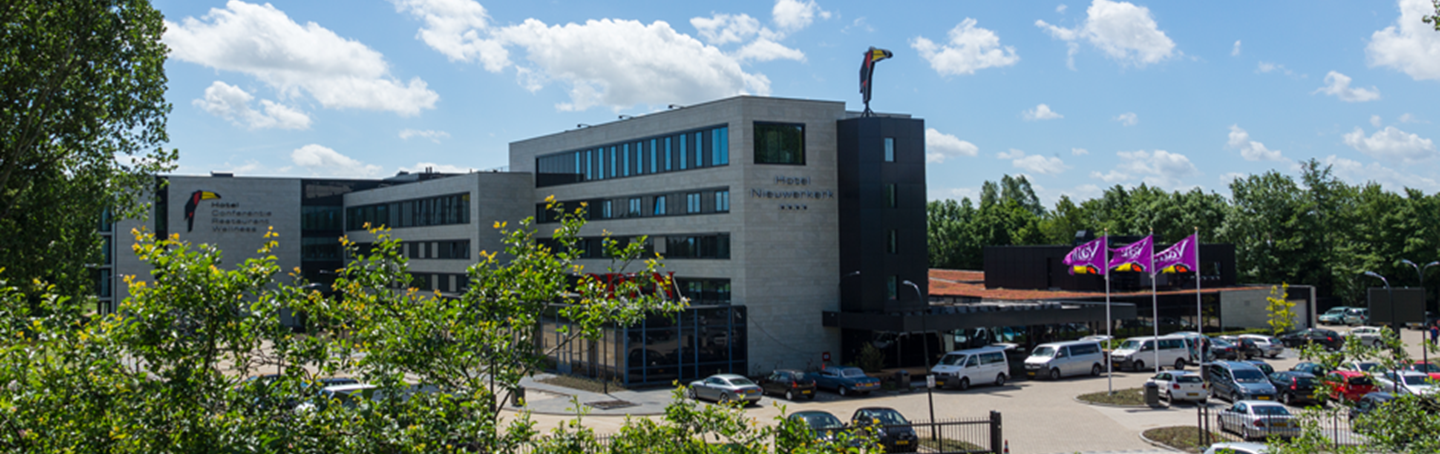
(678, 204)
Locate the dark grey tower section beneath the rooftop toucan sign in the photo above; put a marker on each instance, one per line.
(882, 215)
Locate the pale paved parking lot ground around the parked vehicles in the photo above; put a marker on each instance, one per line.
(1039, 416)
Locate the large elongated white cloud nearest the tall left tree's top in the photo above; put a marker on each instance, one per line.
(264, 43)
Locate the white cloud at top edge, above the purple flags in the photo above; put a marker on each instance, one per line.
(1125, 32)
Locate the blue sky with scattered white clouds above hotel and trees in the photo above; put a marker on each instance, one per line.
(1075, 96)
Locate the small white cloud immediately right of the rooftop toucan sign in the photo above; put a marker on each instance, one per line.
(970, 50)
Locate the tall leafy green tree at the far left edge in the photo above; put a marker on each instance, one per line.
(83, 115)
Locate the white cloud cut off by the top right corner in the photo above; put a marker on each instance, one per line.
(1410, 45)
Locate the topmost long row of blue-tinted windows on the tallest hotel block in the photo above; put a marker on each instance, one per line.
(696, 149)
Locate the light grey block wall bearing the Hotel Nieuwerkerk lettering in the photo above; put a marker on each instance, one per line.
(784, 263)
